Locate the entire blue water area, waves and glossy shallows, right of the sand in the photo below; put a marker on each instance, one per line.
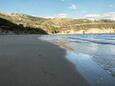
(94, 53)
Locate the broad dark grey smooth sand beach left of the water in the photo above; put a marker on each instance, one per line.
(27, 61)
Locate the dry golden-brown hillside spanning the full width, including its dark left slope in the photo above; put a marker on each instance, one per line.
(55, 25)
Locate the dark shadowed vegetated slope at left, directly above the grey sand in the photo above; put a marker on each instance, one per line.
(7, 26)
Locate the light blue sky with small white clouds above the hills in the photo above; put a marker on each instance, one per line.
(59, 8)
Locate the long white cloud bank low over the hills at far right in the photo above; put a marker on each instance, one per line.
(110, 15)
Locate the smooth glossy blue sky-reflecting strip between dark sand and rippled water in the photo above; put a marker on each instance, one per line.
(90, 70)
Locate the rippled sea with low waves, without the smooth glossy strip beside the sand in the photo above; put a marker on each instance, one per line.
(100, 48)
